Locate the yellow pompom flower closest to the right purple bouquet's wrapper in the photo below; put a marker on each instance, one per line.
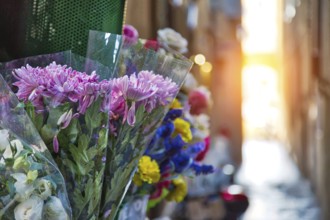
(148, 171)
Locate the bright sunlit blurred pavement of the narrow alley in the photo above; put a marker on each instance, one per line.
(275, 187)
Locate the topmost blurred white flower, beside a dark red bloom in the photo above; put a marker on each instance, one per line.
(172, 39)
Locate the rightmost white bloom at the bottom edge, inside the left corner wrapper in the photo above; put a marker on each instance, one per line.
(54, 210)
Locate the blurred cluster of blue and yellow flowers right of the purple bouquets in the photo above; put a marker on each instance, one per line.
(174, 153)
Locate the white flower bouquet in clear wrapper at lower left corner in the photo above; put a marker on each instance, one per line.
(31, 185)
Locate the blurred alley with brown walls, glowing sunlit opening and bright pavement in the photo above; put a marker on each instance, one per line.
(265, 63)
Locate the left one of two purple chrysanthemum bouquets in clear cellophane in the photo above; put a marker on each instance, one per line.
(67, 98)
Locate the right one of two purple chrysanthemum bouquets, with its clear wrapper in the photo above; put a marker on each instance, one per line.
(145, 83)
